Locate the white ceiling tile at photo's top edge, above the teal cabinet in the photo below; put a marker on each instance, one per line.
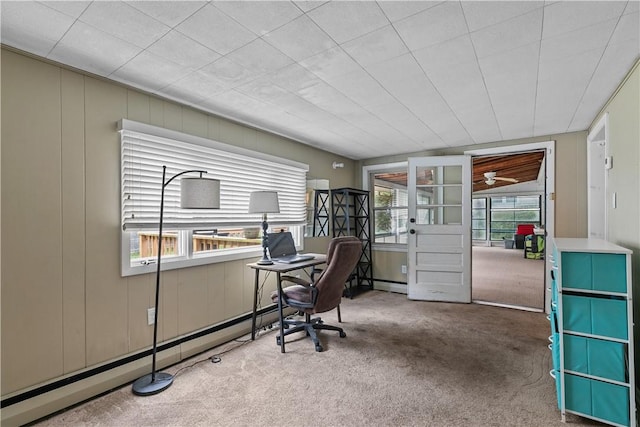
(565, 16)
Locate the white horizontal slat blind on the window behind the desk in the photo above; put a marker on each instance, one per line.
(145, 149)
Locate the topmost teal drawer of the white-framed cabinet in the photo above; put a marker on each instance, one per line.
(598, 271)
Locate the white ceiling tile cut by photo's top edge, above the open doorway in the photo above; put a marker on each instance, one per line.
(481, 14)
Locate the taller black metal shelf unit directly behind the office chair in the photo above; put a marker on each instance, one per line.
(350, 214)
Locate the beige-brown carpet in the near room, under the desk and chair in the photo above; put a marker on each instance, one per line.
(403, 363)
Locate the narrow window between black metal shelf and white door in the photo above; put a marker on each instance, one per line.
(390, 207)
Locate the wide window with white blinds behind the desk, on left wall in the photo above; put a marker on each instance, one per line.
(190, 236)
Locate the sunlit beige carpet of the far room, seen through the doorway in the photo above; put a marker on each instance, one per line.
(504, 276)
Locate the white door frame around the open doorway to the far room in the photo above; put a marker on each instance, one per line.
(549, 147)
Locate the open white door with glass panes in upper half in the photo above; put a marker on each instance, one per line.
(439, 252)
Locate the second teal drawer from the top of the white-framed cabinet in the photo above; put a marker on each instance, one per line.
(593, 315)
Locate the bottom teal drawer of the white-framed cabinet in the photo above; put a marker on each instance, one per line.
(597, 398)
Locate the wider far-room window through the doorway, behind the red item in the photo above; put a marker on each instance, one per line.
(509, 211)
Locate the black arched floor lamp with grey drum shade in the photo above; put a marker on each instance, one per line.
(195, 193)
